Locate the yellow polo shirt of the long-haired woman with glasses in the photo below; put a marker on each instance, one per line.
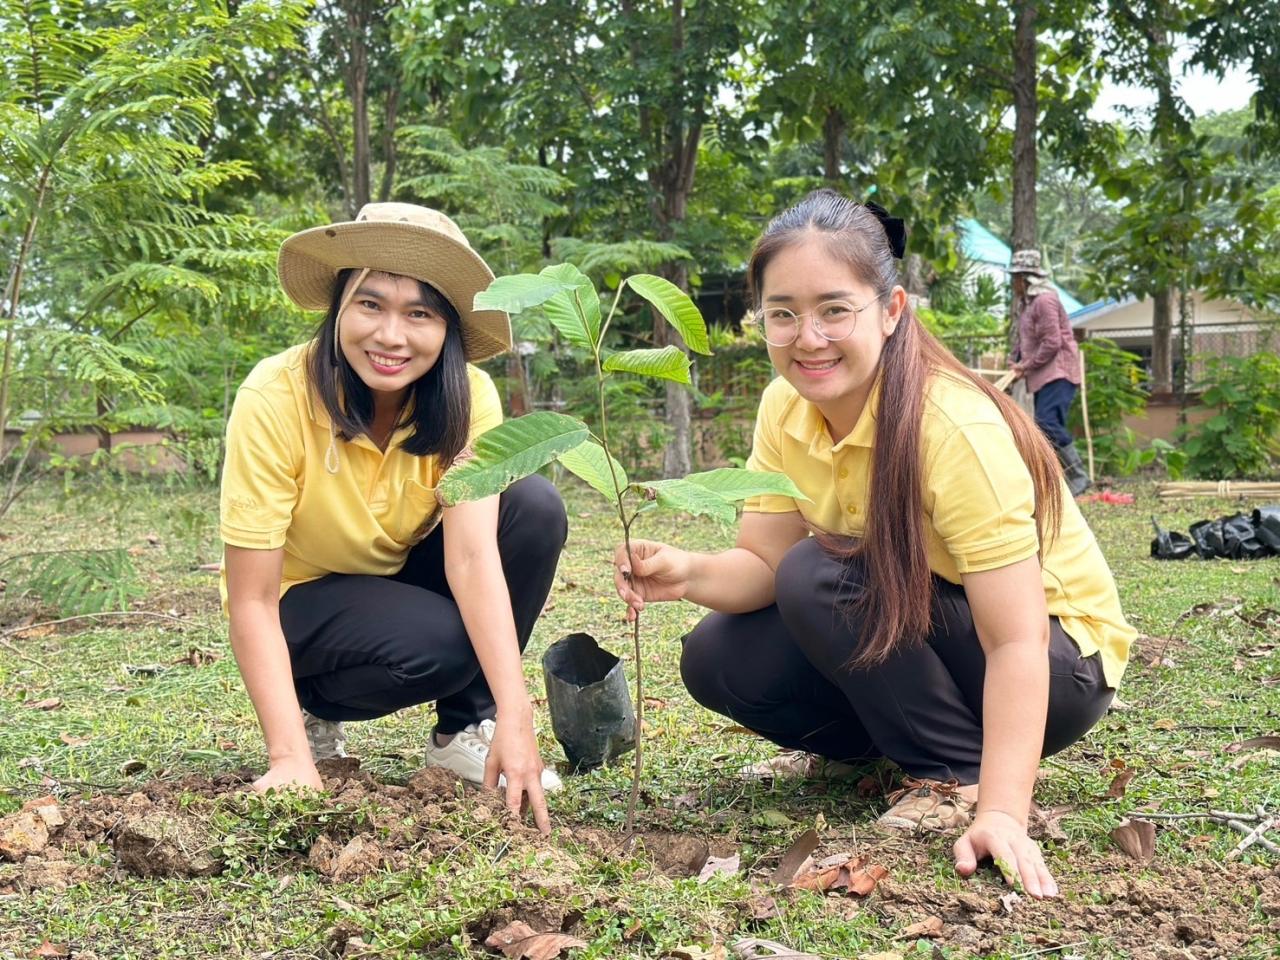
(979, 501)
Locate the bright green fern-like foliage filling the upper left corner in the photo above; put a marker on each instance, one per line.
(104, 113)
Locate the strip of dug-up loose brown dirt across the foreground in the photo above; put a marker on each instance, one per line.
(1154, 912)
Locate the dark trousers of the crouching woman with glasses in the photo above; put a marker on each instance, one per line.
(783, 671)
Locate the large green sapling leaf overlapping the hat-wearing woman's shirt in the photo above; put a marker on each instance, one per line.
(509, 452)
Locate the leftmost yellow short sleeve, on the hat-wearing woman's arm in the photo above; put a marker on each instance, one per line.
(260, 476)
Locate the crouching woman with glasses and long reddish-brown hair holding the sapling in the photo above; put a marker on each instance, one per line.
(953, 611)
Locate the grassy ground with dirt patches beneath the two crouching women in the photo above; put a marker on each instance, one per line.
(144, 720)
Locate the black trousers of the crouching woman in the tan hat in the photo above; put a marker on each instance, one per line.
(363, 647)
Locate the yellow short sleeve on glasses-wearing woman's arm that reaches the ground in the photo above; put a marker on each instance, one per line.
(981, 499)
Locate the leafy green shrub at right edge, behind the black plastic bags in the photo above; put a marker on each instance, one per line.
(1242, 440)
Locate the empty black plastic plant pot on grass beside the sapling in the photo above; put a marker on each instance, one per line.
(589, 701)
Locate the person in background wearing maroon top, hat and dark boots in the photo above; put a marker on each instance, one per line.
(1049, 360)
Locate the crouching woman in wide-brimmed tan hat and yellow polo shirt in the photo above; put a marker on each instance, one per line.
(351, 593)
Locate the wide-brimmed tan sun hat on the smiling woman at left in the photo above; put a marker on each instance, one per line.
(397, 239)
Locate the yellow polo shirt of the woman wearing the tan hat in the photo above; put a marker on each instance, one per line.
(277, 491)
